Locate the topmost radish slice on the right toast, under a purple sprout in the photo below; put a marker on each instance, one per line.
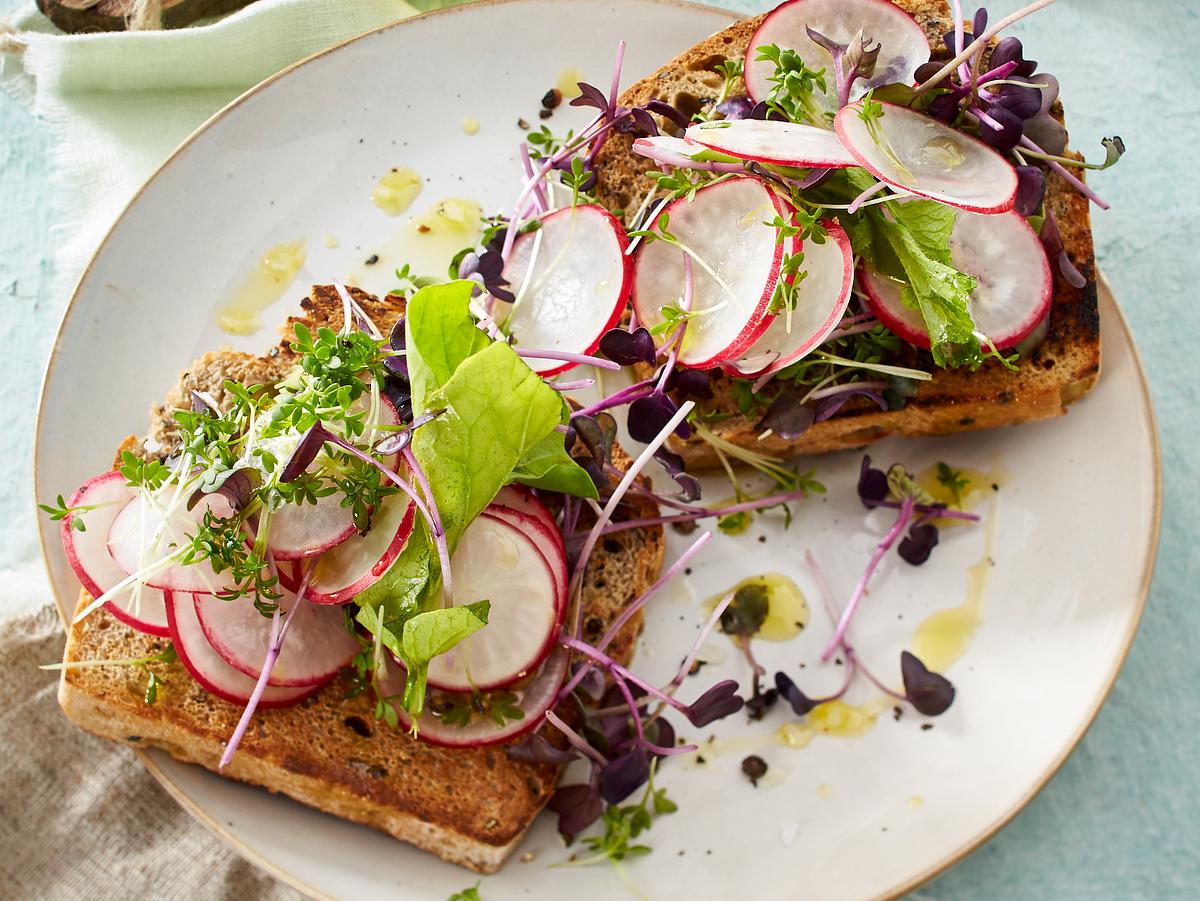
(903, 45)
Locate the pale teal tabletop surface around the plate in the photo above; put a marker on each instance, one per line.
(1121, 819)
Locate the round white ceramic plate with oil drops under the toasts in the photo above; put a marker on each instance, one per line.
(850, 819)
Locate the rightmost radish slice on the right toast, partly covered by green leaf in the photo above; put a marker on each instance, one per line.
(1015, 283)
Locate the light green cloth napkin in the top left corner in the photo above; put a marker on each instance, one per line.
(118, 104)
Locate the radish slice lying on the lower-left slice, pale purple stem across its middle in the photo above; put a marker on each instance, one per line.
(317, 645)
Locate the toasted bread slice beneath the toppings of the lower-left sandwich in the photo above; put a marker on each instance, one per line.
(470, 807)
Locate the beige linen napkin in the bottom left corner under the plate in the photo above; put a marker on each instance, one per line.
(81, 818)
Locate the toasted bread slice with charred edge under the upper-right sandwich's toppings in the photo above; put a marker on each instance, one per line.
(1058, 374)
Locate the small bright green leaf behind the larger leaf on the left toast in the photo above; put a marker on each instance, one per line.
(440, 335)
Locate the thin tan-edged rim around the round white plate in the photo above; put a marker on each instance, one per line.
(933, 872)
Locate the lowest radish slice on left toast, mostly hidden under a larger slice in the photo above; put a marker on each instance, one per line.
(533, 700)
